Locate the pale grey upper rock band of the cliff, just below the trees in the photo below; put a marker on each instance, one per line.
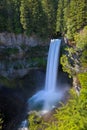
(12, 39)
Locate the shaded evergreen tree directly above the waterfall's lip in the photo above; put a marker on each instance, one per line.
(50, 7)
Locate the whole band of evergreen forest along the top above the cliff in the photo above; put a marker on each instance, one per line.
(43, 18)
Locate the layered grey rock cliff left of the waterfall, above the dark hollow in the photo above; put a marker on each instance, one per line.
(16, 54)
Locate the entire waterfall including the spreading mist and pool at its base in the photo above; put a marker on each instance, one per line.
(46, 99)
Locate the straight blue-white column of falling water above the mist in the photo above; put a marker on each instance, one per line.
(52, 65)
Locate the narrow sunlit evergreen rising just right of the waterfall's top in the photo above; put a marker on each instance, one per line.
(62, 15)
